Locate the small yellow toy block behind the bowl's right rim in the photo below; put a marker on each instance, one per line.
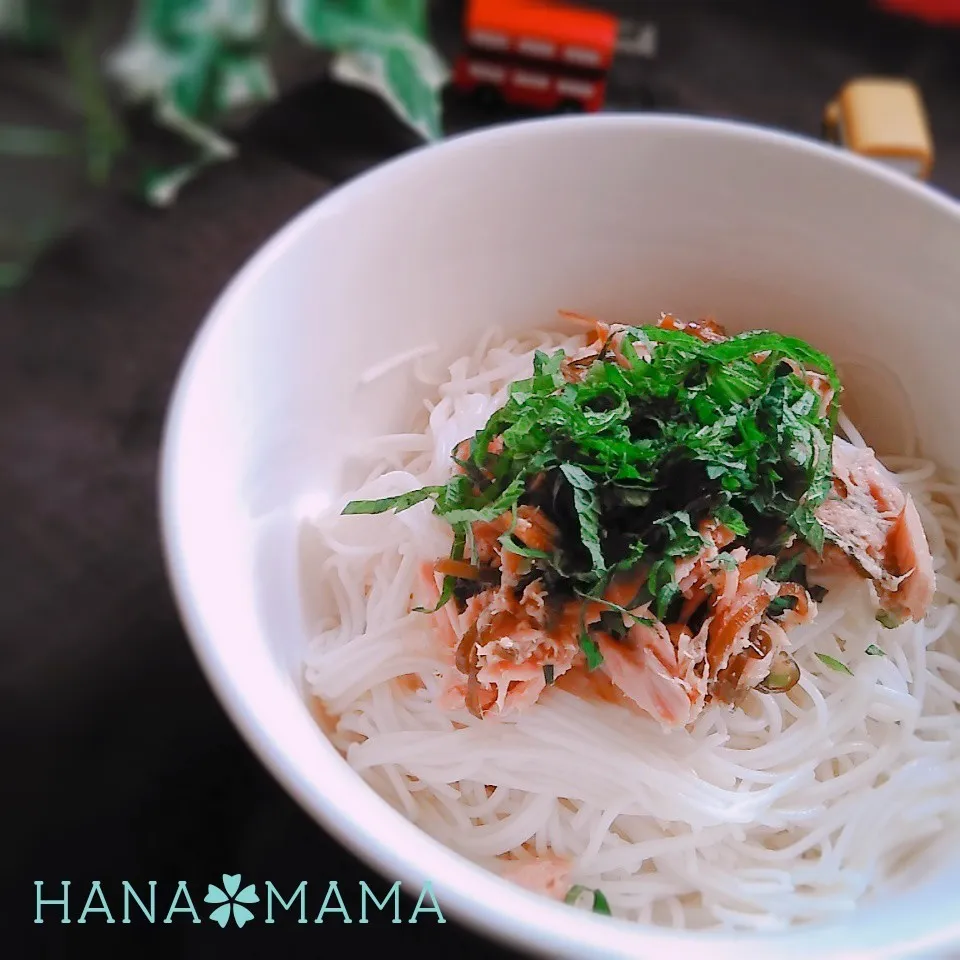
(884, 119)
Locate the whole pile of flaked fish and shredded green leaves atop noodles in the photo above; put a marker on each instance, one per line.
(640, 518)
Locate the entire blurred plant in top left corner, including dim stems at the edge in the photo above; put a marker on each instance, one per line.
(195, 65)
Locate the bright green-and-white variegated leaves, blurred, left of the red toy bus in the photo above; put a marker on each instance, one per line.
(198, 61)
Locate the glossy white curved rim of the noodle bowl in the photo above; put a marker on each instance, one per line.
(533, 925)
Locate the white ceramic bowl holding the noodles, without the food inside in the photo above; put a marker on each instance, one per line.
(620, 216)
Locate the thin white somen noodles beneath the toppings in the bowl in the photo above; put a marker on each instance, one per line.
(790, 810)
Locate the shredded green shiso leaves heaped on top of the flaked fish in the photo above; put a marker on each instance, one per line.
(632, 458)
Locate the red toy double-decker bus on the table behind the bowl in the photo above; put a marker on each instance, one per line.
(531, 53)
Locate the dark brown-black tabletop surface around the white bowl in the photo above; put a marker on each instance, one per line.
(118, 762)
